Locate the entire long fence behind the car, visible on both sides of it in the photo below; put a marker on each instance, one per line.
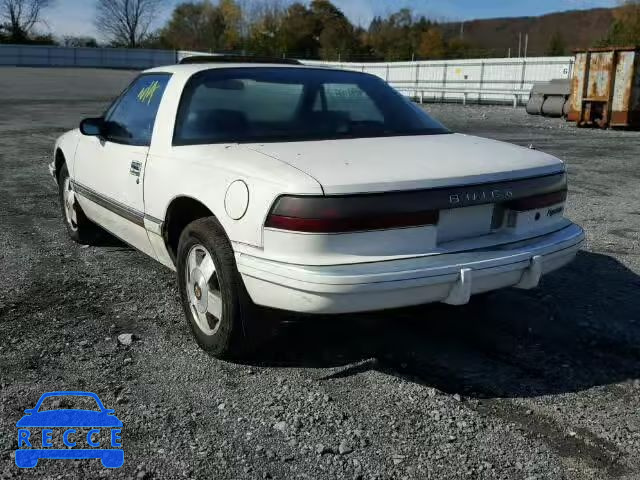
(494, 80)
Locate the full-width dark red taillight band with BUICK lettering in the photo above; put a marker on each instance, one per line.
(411, 208)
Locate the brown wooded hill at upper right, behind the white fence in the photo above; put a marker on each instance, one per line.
(575, 28)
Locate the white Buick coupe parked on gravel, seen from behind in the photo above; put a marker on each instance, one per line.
(307, 189)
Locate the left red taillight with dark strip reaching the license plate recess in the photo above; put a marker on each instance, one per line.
(345, 214)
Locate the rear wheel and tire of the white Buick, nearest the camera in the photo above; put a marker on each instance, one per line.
(215, 301)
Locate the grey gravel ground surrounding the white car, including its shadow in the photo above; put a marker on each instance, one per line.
(538, 384)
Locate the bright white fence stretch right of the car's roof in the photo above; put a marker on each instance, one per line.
(493, 80)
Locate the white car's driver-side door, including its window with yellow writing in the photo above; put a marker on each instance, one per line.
(108, 172)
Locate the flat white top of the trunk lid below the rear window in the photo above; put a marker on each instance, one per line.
(369, 165)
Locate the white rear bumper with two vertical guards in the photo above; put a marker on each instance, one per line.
(451, 278)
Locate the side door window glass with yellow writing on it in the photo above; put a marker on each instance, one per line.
(131, 119)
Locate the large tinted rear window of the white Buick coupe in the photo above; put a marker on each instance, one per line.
(236, 105)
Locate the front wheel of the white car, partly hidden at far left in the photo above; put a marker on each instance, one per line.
(79, 227)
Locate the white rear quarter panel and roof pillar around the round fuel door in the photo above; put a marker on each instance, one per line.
(204, 173)
